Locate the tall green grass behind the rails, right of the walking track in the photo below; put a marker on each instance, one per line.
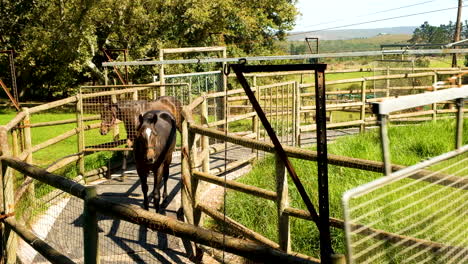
(420, 142)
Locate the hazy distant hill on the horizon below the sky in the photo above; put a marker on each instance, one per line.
(342, 34)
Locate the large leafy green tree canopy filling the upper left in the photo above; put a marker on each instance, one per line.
(59, 43)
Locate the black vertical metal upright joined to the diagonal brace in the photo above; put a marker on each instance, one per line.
(322, 167)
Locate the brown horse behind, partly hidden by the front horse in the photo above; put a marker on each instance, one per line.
(128, 112)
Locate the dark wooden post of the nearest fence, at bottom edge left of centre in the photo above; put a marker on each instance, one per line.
(90, 229)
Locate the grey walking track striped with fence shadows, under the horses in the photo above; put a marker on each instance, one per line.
(123, 242)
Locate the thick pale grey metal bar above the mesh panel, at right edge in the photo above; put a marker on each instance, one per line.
(410, 101)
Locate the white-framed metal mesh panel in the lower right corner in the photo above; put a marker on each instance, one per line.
(415, 217)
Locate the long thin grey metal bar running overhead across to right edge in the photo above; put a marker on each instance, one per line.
(288, 57)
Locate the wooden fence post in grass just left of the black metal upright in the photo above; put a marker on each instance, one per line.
(282, 202)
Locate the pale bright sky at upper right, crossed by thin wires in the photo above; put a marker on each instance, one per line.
(342, 14)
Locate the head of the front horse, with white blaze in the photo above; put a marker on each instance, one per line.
(155, 135)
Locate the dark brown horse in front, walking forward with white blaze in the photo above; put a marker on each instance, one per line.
(154, 144)
